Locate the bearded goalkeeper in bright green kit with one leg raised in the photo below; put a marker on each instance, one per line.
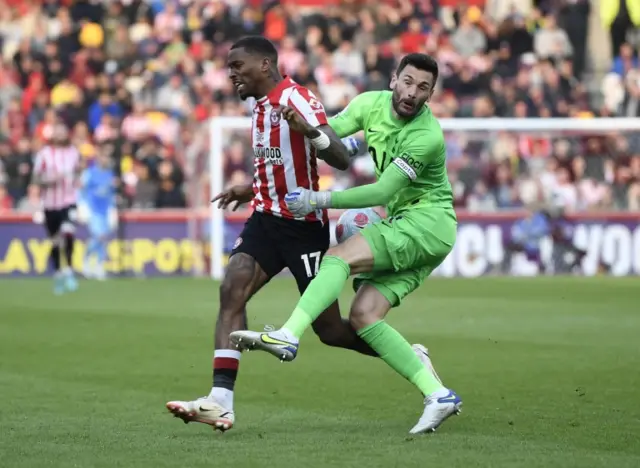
(393, 257)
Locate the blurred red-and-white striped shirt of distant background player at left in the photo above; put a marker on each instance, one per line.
(52, 162)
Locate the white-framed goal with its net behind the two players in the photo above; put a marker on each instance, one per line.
(588, 169)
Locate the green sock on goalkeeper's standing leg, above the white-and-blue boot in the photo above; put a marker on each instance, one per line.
(398, 354)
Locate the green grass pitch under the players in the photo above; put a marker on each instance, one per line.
(549, 370)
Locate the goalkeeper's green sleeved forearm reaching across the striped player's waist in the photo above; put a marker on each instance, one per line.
(377, 194)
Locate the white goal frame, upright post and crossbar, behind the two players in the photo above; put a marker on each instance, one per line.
(222, 127)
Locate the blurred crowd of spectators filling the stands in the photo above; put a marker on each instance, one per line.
(139, 79)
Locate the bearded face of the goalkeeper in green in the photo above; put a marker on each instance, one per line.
(411, 89)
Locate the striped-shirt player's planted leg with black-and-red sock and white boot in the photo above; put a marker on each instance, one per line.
(243, 279)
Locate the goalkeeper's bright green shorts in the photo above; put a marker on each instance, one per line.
(406, 249)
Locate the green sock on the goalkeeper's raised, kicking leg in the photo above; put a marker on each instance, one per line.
(320, 294)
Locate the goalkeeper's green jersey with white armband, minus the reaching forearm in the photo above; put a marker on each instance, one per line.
(415, 147)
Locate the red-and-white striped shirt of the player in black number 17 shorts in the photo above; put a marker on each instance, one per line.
(284, 159)
